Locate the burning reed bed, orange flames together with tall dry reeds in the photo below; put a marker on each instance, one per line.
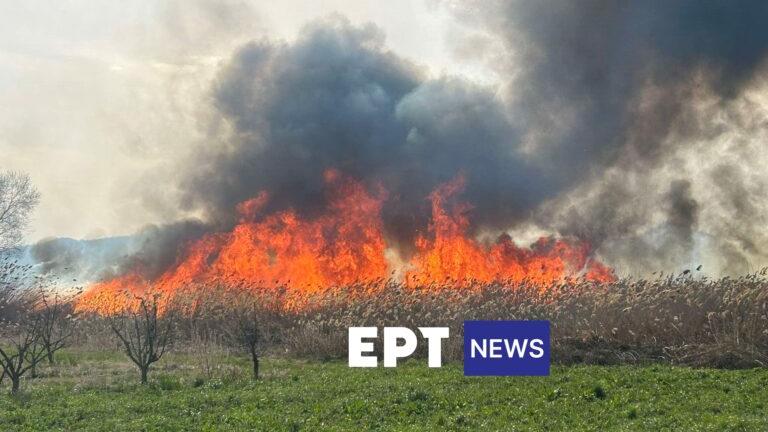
(310, 278)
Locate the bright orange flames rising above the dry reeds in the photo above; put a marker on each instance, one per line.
(343, 246)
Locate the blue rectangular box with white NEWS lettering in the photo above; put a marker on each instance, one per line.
(506, 348)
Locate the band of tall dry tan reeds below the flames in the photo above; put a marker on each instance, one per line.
(681, 320)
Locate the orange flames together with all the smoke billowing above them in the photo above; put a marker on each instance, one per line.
(330, 161)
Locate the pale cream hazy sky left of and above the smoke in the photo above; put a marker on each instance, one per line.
(93, 95)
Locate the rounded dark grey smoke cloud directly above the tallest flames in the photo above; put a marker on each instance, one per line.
(336, 98)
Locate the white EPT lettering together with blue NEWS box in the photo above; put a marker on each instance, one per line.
(497, 348)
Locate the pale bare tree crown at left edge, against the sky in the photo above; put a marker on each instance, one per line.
(18, 197)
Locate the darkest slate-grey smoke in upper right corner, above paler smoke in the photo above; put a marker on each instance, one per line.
(585, 67)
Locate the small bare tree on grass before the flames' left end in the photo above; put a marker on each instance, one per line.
(144, 333)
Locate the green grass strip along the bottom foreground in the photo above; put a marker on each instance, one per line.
(96, 392)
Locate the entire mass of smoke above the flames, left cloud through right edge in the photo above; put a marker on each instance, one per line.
(602, 130)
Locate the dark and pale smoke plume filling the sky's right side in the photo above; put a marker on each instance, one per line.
(628, 106)
